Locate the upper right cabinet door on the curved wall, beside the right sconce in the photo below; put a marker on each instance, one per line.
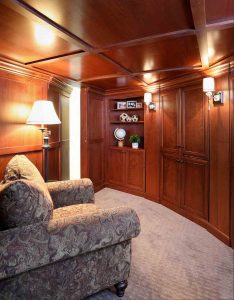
(194, 122)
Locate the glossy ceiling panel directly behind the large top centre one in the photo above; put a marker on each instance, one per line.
(177, 52)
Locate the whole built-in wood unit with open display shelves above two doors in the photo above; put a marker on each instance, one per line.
(125, 166)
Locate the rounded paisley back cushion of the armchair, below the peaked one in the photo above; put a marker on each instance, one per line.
(24, 202)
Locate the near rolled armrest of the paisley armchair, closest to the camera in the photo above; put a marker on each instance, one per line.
(29, 247)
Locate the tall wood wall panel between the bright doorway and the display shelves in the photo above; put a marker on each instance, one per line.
(93, 137)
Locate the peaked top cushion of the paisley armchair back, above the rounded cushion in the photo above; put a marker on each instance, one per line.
(20, 167)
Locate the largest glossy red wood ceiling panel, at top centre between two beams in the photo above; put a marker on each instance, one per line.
(101, 22)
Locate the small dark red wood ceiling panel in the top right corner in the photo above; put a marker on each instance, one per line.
(219, 10)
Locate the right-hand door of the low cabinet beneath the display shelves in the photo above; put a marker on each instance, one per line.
(135, 170)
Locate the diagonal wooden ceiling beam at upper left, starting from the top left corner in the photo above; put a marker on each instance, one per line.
(32, 14)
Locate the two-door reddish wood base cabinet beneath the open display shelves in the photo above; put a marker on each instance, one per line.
(126, 168)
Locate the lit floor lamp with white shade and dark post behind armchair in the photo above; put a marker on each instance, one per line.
(43, 113)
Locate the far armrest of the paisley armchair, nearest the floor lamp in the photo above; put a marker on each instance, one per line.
(69, 192)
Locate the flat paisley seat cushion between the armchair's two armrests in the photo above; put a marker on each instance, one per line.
(72, 210)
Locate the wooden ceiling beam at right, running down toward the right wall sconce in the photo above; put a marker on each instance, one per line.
(199, 19)
